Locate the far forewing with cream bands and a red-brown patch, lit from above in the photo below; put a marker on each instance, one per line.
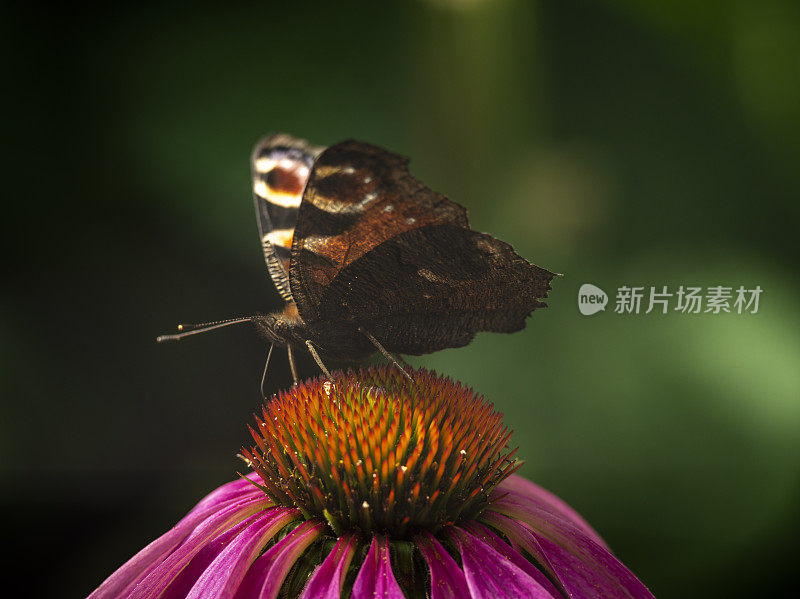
(280, 167)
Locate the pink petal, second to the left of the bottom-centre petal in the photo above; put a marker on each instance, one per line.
(266, 575)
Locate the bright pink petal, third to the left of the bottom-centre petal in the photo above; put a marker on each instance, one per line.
(222, 578)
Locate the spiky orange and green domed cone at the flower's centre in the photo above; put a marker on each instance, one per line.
(374, 451)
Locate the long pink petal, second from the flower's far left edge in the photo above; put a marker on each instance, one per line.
(223, 517)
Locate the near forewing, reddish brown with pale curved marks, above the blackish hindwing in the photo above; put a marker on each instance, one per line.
(358, 196)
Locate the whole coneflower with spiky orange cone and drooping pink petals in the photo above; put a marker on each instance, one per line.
(372, 486)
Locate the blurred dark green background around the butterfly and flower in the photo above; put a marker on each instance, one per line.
(618, 142)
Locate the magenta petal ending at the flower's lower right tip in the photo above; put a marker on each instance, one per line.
(580, 566)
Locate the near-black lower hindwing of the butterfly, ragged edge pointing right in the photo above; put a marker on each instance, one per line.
(435, 287)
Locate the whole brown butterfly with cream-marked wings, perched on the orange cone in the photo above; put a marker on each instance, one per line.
(368, 258)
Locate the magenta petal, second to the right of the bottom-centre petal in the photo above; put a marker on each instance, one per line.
(492, 576)
